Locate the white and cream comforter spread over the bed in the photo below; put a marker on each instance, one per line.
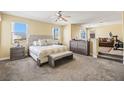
(44, 51)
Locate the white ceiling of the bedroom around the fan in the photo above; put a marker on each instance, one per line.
(77, 17)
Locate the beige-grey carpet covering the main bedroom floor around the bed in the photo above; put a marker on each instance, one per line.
(81, 68)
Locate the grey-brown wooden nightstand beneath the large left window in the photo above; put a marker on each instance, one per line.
(17, 53)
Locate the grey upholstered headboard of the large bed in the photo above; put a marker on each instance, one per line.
(37, 37)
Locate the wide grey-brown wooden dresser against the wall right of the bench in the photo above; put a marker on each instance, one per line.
(80, 46)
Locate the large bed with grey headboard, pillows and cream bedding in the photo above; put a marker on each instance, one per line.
(41, 46)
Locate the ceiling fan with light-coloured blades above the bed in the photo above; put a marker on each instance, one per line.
(60, 16)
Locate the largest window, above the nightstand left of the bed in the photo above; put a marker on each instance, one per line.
(19, 31)
